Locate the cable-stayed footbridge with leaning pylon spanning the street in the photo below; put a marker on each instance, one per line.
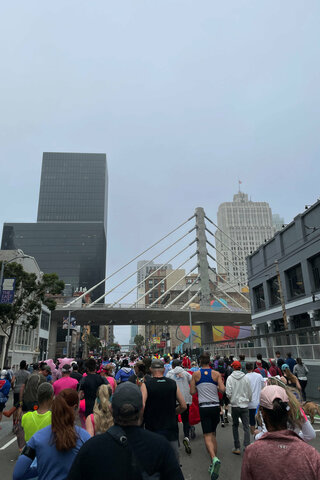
(215, 295)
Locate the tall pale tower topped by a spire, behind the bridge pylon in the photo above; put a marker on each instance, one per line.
(243, 226)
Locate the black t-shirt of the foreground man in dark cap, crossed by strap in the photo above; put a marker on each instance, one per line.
(102, 458)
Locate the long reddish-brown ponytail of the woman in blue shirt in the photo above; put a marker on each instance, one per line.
(63, 416)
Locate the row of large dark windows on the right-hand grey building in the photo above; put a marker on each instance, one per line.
(294, 284)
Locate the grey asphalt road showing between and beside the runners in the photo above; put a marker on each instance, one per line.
(194, 466)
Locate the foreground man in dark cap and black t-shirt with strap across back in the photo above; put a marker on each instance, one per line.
(126, 450)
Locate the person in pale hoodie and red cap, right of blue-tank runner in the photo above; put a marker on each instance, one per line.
(239, 391)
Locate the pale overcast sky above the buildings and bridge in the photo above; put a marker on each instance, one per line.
(185, 98)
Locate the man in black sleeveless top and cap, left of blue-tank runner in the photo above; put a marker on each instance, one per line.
(160, 396)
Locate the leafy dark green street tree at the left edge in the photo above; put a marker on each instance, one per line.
(30, 294)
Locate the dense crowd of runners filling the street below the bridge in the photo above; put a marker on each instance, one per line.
(129, 409)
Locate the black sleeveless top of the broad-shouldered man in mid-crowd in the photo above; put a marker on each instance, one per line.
(160, 409)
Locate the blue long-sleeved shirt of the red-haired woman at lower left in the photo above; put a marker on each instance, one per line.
(52, 464)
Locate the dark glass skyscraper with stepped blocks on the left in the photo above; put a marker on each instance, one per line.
(69, 237)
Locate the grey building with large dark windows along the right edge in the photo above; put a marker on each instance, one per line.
(284, 282)
